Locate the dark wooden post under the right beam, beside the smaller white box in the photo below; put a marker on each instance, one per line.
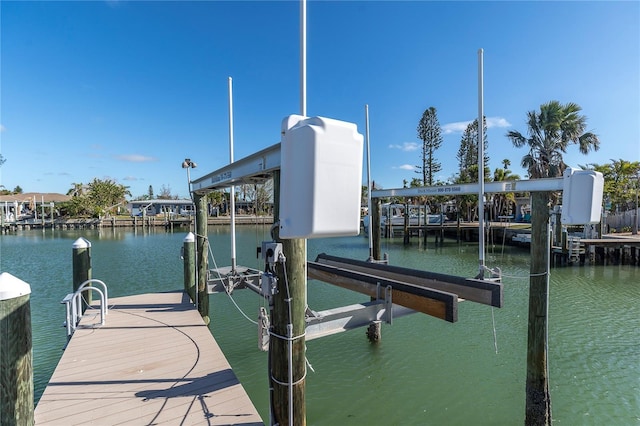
(538, 399)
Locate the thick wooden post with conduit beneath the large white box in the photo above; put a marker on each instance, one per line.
(289, 305)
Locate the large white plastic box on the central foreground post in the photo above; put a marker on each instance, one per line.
(320, 177)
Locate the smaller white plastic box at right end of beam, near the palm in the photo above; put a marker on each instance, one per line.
(581, 196)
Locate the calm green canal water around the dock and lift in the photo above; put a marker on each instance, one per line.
(423, 372)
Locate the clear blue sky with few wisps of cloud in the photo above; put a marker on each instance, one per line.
(127, 90)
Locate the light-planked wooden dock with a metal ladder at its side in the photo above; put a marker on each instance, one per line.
(153, 362)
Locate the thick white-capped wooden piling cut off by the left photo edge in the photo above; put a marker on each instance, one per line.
(16, 359)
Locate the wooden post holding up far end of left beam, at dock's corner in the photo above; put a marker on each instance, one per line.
(202, 250)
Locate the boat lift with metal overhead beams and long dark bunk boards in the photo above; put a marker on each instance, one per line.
(415, 290)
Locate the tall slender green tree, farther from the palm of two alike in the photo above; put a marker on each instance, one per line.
(429, 132)
